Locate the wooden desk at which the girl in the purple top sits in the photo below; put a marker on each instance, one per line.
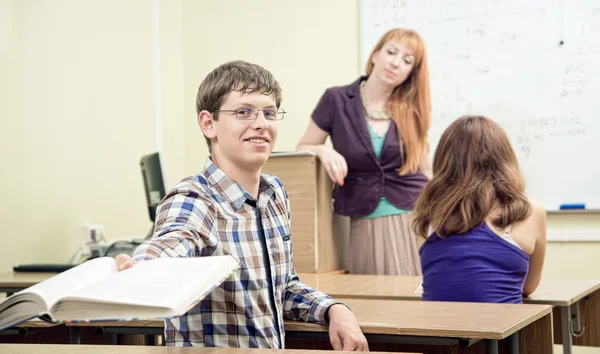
(576, 302)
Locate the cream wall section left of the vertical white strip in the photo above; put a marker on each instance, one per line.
(76, 116)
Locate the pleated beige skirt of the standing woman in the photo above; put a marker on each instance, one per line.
(385, 245)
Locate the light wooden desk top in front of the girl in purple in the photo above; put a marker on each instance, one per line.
(551, 291)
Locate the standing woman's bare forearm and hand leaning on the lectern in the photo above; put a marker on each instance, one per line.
(334, 163)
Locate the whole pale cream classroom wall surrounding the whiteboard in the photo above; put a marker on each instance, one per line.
(77, 107)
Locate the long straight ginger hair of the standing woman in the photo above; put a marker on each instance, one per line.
(410, 102)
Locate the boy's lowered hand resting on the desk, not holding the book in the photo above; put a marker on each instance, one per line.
(344, 331)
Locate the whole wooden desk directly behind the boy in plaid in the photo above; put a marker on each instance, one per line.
(388, 324)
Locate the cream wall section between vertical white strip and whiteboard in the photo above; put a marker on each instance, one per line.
(306, 50)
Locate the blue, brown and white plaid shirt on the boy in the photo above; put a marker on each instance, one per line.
(210, 214)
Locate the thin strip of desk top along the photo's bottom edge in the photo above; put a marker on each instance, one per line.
(131, 349)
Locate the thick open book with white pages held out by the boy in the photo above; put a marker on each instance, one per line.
(96, 290)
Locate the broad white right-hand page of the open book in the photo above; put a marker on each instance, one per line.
(163, 282)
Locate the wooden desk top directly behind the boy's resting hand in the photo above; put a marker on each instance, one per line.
(434, 319)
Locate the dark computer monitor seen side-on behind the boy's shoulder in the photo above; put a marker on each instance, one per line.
(153, 182)
